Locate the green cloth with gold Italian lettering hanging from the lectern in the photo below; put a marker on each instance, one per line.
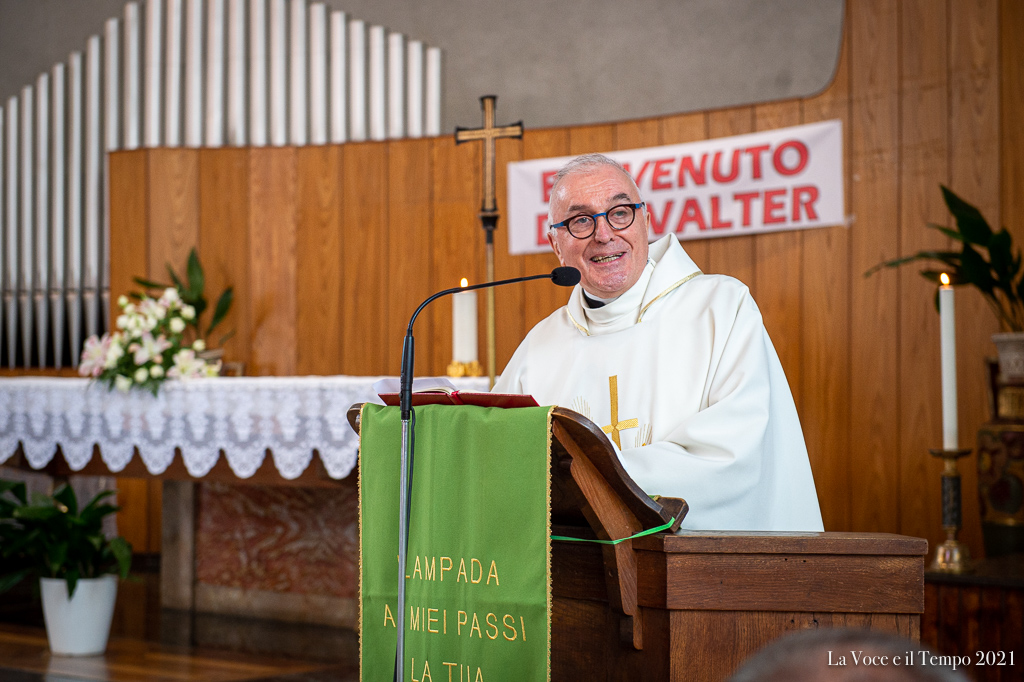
(478, 578)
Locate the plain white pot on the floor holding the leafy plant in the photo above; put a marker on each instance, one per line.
(80, 626)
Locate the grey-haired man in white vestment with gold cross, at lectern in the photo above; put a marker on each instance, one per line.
(674, 365)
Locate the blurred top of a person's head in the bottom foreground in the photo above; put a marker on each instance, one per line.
(849, 656)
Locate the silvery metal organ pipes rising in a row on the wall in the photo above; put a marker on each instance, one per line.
(198, 73)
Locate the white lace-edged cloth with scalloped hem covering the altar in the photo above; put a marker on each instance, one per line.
(242, 416)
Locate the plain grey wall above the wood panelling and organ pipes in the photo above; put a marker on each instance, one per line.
(550, 62)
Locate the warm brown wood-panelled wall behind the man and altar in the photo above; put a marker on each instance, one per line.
(330, 249)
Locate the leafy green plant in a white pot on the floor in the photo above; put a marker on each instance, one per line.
(50, 538)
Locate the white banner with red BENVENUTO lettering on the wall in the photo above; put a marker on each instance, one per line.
(790, 179)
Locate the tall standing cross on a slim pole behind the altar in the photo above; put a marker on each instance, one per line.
(489, 134)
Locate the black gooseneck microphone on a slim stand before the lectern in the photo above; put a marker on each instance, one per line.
(564, 277)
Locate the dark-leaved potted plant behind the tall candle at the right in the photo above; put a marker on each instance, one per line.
(987, 260)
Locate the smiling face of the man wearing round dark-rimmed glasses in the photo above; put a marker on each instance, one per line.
(611, 262)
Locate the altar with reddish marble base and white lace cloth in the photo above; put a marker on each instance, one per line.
(259, 505)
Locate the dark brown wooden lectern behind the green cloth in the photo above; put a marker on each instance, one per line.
(693, 606)
